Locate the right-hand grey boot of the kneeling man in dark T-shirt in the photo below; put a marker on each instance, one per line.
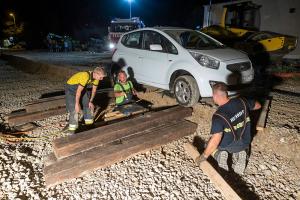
(239, 160)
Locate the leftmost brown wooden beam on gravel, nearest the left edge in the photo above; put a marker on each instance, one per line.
(23, 117)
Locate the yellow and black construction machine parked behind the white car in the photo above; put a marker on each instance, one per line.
(239, 28)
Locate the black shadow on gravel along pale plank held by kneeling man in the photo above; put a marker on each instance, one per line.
(235, 181)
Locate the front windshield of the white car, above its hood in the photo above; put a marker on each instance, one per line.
(190, 39)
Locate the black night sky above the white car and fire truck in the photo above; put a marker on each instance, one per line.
(68, 16)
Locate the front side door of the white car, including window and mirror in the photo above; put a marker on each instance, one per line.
(155, 63)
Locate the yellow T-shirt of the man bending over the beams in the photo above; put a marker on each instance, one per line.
(82, 78)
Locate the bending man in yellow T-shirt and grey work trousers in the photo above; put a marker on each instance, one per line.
(77, 95)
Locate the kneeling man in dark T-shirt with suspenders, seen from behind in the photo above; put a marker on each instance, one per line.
(231, 129)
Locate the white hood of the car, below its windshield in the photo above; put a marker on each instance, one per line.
(223, 54)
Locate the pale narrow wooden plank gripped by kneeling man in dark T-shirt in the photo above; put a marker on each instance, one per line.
(212, 174)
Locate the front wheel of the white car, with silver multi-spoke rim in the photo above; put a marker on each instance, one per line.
(186, 90)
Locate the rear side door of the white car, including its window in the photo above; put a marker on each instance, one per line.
(132, 55)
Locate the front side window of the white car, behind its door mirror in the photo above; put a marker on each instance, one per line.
(152, 37)
